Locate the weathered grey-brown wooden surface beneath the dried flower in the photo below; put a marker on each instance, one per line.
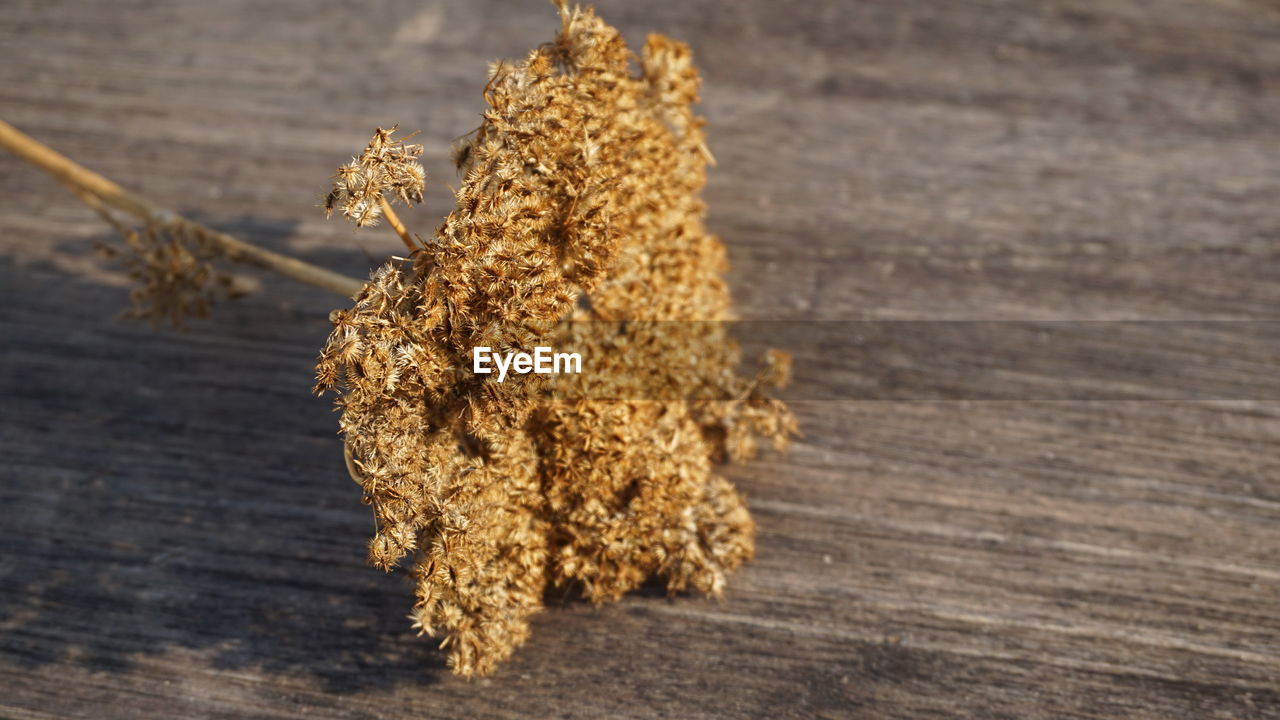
(179, 537)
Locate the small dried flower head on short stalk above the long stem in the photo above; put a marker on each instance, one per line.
(388, 170)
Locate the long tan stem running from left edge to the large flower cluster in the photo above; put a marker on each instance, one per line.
(85, 181)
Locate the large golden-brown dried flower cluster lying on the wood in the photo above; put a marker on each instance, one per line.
(579, 226)
